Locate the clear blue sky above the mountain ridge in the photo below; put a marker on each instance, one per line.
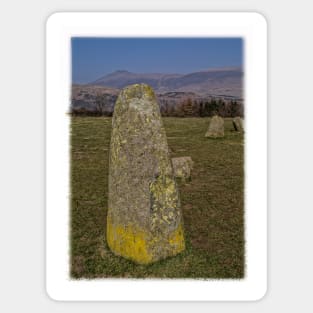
(96, 57)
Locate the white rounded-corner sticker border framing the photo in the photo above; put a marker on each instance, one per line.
(251, 27)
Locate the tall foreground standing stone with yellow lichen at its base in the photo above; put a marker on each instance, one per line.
(144, 221)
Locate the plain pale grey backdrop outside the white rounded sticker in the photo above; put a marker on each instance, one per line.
(22, 82)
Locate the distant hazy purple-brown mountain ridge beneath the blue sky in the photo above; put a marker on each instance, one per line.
(214, 82)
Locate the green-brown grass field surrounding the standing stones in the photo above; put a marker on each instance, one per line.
(212, 203)
